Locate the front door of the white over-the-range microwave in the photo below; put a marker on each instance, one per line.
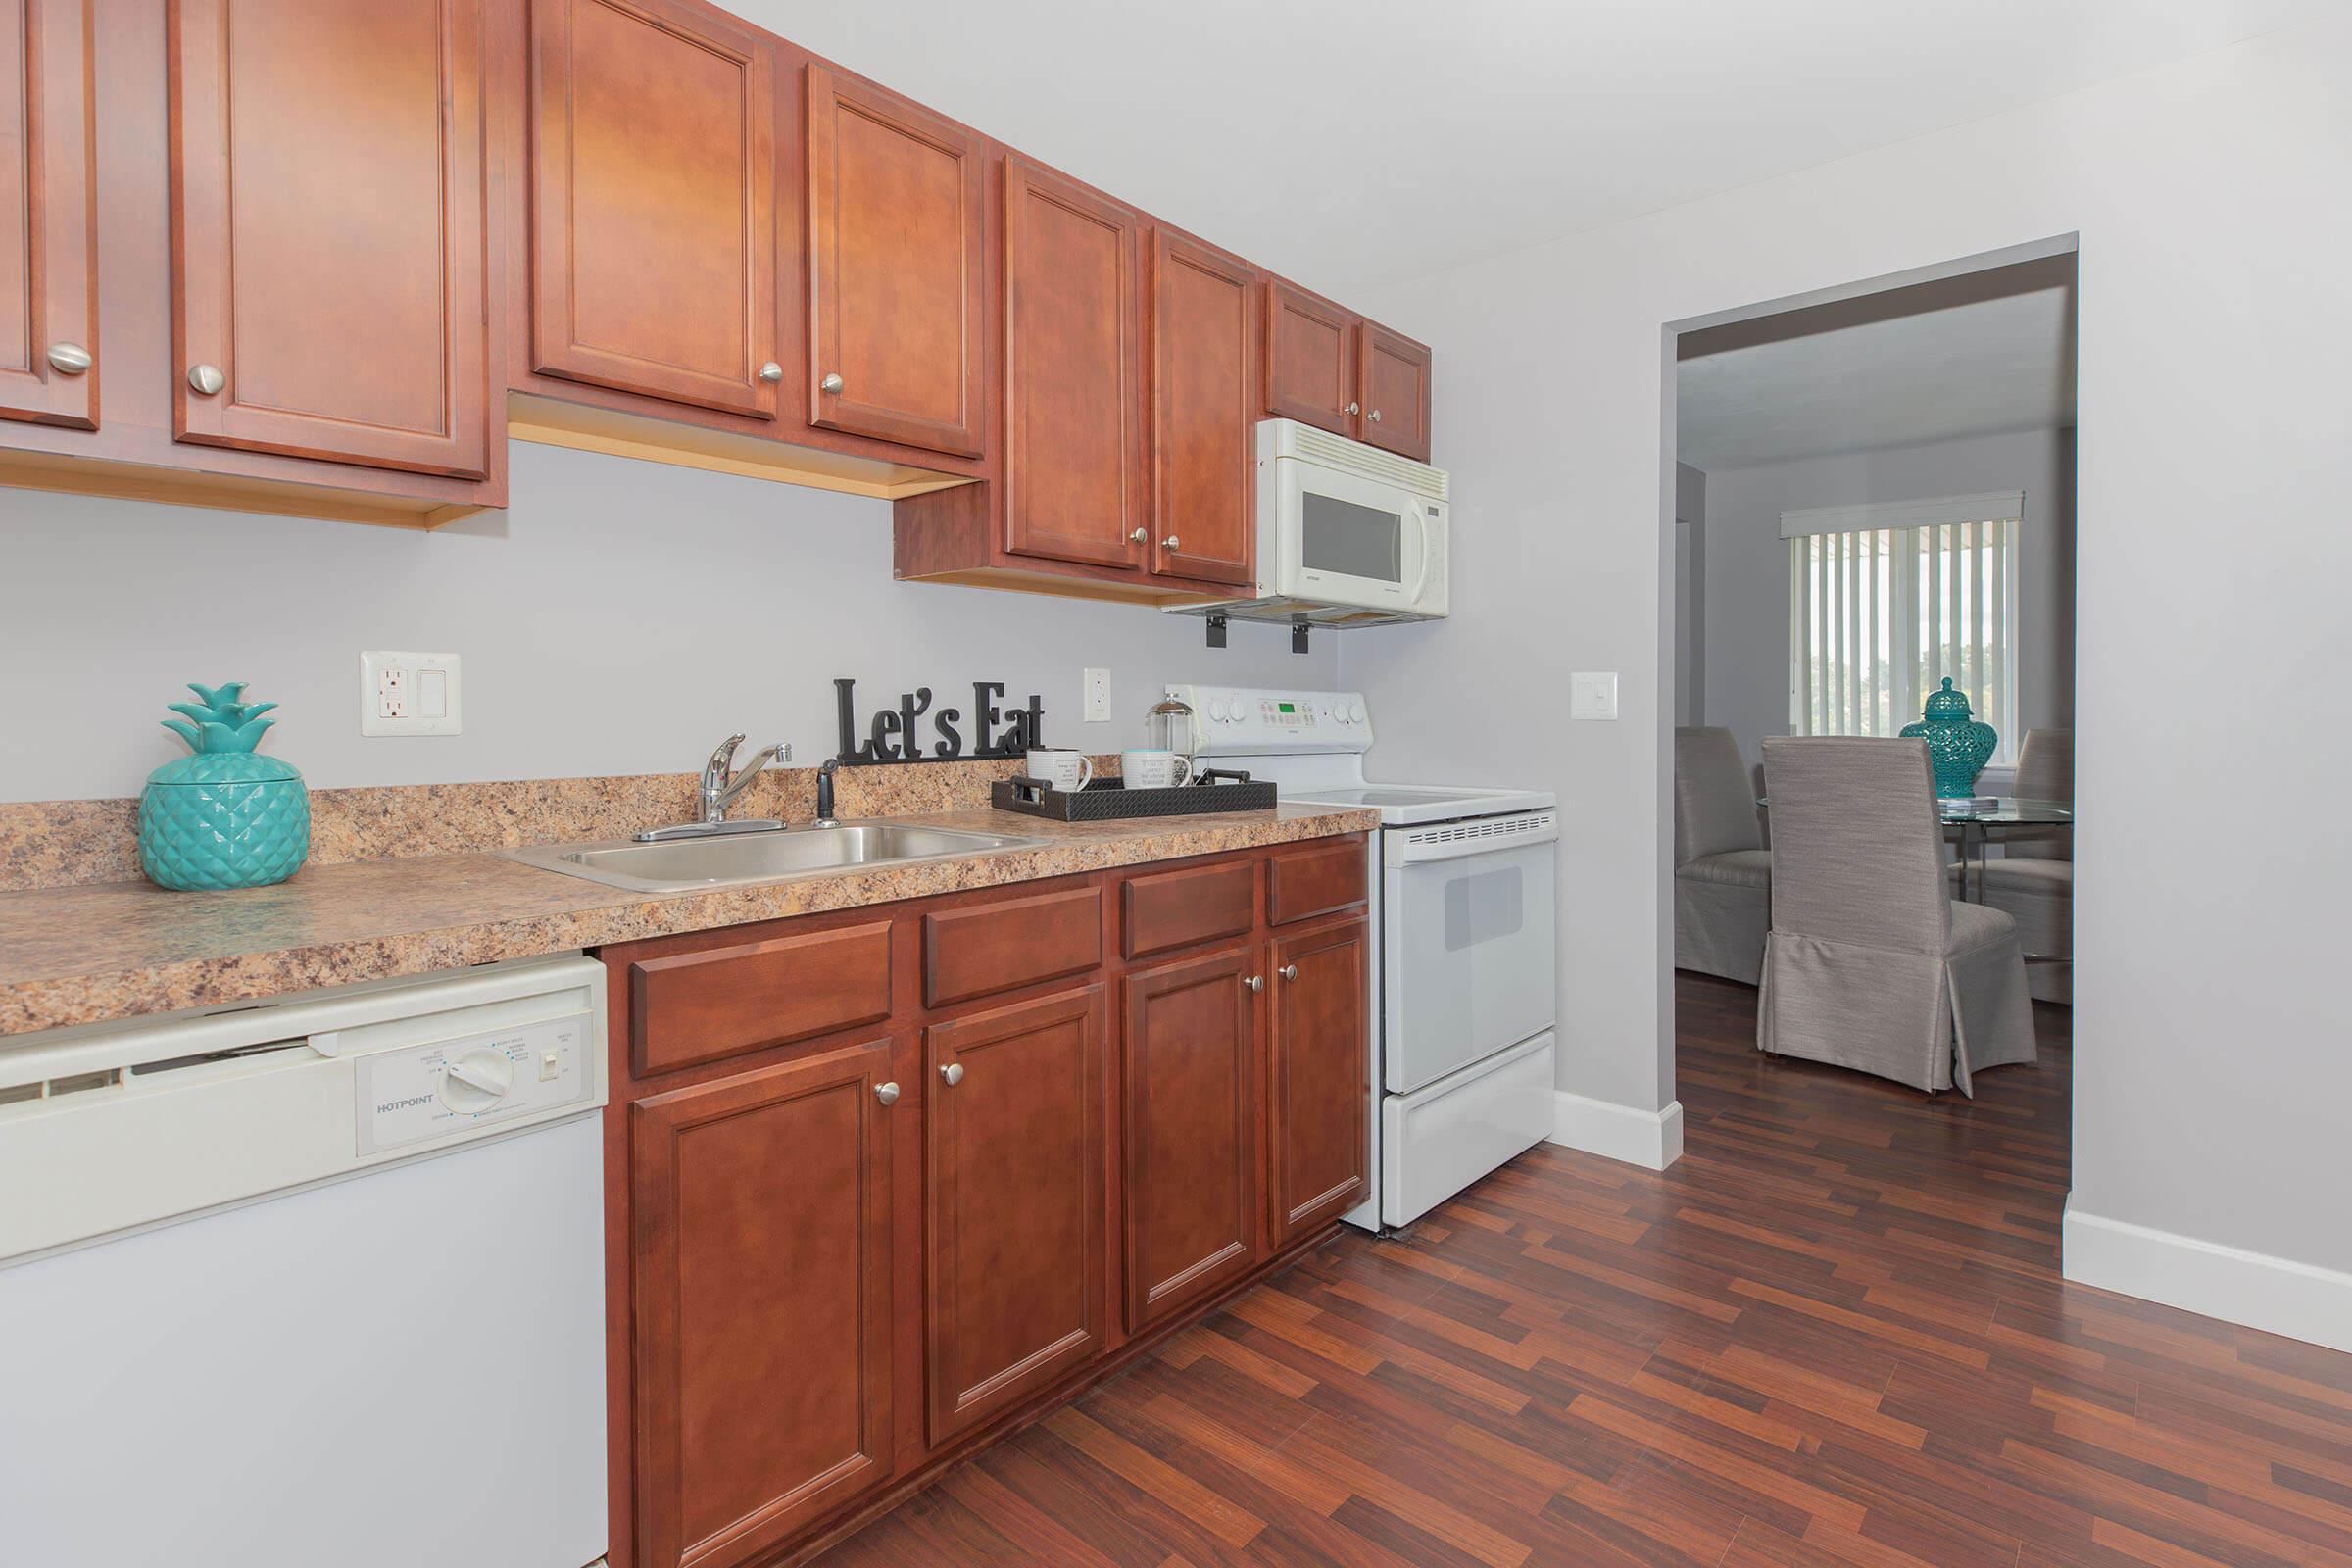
(1349, 540)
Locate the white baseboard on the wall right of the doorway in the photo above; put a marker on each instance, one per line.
(2276, 1294)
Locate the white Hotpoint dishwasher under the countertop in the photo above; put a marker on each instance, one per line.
(309, 1282)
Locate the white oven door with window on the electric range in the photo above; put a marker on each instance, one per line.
(1466, 944)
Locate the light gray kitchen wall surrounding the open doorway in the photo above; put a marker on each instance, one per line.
(2212, 1078)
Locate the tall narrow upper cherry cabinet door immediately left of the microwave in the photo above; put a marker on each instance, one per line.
(1205, 415)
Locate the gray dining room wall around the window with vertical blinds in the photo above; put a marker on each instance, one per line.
(1746, 598)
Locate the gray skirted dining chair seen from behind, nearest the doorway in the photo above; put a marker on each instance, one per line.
(1871, 963)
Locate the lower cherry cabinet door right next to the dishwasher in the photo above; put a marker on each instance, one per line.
(761, 1257)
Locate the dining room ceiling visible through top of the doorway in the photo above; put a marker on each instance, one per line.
(1930, 363)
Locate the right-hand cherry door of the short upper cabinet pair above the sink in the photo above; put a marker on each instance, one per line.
(897, 220)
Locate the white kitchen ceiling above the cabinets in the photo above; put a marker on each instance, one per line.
(1363, 142)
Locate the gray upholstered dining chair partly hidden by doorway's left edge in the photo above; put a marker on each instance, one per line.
(1723, 871)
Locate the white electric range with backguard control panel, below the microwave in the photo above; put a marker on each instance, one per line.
(1462, 993)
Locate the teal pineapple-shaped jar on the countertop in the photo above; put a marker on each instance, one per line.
(222, 817)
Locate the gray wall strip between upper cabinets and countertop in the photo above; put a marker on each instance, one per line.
(620, 619)
